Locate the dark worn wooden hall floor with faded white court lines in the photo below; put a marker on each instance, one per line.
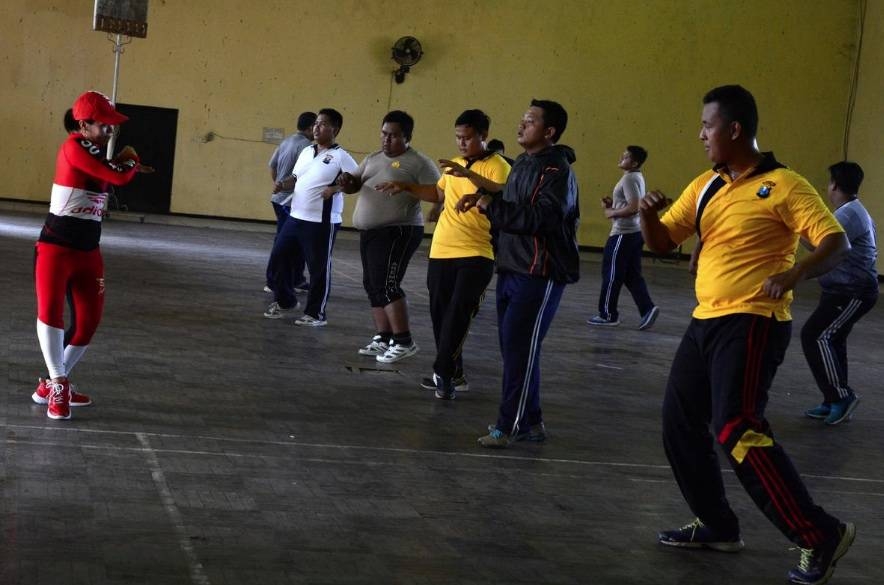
(224, 448)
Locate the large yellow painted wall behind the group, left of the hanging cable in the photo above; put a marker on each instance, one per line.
(627, 73)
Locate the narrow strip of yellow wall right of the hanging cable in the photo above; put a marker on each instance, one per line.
(867, 130)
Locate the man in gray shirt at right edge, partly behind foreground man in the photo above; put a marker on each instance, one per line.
(850, 290)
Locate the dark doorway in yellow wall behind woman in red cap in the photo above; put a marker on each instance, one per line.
(151, 132)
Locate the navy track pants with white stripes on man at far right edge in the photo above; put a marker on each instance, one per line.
(824, 341)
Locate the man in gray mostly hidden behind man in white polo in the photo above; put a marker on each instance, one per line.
(281, 164)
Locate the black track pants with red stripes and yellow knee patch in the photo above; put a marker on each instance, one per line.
(721, 375)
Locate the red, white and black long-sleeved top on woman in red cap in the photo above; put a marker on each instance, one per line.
(79, 193)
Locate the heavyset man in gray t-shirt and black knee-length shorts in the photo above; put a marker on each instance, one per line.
(391, 228)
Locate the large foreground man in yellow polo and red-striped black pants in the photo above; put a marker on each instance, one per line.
(748, 213)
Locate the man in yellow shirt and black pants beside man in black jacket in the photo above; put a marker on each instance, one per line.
(461, 256)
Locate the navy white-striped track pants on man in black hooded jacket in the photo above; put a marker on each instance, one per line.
(525, 309)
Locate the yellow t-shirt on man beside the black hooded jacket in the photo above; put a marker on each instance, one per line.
(463, 235)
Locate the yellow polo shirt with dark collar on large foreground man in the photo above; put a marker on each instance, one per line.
(750, 230)
